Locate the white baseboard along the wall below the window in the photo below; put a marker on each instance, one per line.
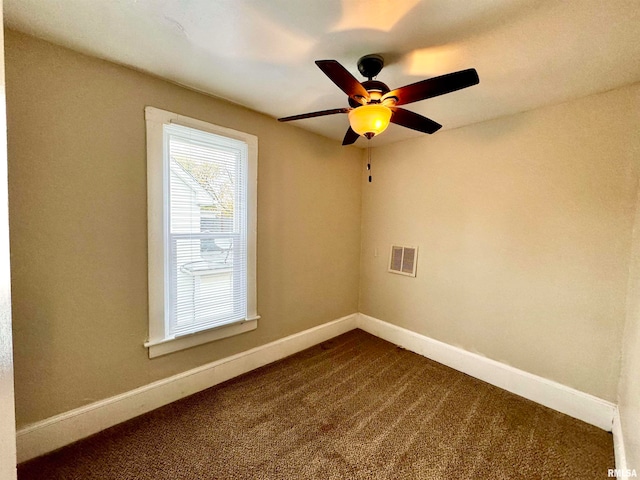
(55, 432)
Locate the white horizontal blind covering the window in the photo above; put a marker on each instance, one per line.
(206, 229)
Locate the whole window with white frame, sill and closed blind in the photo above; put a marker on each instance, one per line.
(202, 185)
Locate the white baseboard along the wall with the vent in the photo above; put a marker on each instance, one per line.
(580, 405)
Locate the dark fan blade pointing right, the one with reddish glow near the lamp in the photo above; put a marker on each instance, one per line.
(432, 87)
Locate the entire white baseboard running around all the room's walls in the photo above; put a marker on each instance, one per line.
(55, 432)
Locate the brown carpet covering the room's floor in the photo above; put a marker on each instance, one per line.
(355, 407)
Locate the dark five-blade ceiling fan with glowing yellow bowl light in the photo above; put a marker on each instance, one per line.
(372, 105)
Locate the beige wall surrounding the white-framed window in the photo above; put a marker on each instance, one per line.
(77, 186)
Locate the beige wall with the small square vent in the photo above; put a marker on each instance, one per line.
(524, 231)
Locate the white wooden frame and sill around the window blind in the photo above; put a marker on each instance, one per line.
(160, 342)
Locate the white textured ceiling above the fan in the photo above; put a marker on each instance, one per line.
(260, 53)
